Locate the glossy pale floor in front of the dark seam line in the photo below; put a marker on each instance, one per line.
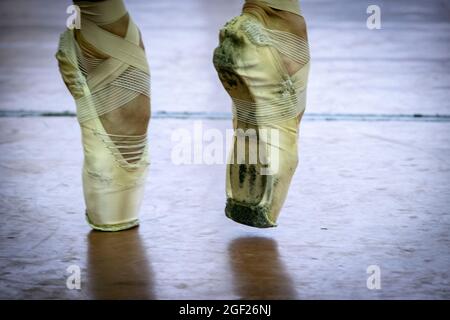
(337, 220)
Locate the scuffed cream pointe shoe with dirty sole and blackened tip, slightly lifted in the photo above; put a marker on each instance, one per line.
(253, 62)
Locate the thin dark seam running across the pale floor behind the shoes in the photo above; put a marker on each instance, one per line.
(227, 116)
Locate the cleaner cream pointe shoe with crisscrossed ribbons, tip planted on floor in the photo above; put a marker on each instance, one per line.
(115, 165)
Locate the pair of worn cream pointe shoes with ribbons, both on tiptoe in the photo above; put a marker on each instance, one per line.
(262, 61)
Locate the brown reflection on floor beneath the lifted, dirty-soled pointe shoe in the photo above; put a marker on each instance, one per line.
(258, 271)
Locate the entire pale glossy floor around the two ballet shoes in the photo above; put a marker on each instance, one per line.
(372, 187)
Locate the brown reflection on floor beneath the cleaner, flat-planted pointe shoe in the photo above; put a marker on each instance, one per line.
(118, 266)
